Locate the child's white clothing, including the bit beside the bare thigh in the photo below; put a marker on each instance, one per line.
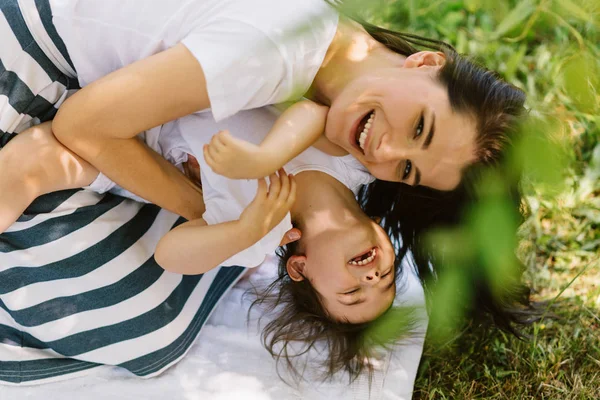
(225, 199)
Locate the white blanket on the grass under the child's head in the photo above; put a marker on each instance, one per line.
(228, 362)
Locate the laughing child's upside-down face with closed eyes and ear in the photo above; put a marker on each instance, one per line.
(351, 265)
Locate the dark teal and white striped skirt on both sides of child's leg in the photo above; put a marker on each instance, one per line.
(79, 286)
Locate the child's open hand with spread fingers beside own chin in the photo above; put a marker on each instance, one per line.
(269, 206)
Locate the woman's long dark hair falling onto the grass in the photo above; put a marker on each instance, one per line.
(410, 213)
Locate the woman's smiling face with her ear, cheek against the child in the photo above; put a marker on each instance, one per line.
(399, 124)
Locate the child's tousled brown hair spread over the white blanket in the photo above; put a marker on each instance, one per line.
(301, 322)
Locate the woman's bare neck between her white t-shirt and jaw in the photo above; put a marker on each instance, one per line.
(352, 53)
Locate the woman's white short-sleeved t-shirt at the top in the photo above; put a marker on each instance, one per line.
(253, 52)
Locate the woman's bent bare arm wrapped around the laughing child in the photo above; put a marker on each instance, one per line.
(100, 122)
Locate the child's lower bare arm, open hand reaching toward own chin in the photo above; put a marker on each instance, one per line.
(196, 247)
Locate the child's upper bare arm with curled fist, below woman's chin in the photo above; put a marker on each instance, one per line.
(295, 130)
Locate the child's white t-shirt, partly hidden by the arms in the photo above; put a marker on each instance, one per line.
(225, 198)
